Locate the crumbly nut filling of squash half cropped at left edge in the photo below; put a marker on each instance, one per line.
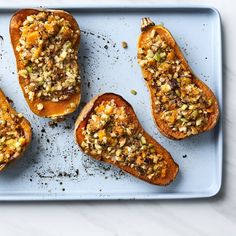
(12, 138)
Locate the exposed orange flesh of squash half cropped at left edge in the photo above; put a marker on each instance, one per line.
(24, 126)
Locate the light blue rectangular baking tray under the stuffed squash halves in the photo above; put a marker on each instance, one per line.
(54, 169)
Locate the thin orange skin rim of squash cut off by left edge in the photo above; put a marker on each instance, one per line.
(24, 124)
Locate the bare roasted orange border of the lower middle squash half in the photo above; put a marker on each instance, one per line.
(82, 120)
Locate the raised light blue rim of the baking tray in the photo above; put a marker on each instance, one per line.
(214, 190)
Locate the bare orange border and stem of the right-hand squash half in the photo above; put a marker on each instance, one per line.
(162, 126)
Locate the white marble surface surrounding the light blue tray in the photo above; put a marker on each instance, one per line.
(214, 216)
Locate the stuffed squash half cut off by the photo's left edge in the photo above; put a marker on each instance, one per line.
(15, 133)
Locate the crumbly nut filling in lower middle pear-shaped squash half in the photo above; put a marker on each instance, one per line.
(111, 134)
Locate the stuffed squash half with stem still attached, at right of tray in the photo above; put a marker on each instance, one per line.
(182, 105)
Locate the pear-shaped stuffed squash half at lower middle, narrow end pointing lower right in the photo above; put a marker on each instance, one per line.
(108, 130)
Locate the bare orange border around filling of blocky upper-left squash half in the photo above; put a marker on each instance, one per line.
(51, 109)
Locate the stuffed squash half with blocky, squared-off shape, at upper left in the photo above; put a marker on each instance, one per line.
(46, 43)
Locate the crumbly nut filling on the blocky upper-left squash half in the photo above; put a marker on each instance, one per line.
(46, 49)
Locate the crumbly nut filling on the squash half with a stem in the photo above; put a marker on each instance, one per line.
(181, 104)
